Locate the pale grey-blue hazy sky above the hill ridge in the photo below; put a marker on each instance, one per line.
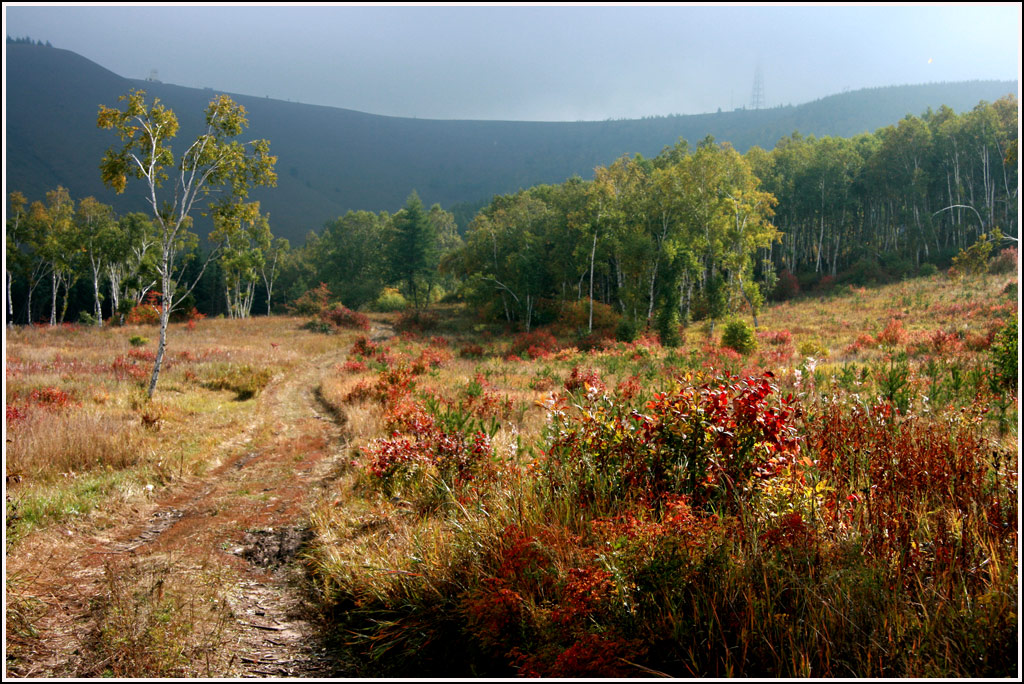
(536, 63)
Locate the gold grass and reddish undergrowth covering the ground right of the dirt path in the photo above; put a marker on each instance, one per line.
(836, 562)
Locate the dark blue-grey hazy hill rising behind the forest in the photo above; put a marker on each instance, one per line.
(332, 160)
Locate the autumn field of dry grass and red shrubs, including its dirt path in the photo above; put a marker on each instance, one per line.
(836, 494)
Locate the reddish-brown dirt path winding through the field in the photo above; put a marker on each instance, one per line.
(232, 539)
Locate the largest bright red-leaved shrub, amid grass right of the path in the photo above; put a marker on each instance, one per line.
(708, 443)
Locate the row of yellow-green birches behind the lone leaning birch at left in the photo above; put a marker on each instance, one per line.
(80, 256)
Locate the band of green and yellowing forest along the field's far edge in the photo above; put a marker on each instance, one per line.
(694, 234)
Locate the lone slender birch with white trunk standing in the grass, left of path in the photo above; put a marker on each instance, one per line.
(216, 162)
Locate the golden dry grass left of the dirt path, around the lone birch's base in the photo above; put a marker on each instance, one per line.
(90, 434)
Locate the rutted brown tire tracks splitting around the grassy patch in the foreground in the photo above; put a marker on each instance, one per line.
(248, 518)
